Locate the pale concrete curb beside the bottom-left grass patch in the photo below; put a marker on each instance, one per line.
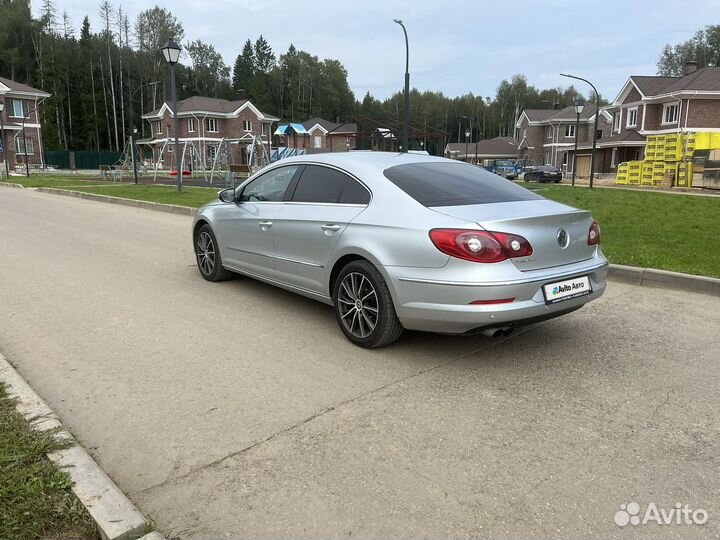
(115, 516)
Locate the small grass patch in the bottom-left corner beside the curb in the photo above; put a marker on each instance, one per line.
(36, 498)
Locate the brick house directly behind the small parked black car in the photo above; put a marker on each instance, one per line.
(547, 136)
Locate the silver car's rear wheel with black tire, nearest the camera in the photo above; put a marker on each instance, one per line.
(363, 306)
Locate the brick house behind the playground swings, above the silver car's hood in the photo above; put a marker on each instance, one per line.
(206, 123)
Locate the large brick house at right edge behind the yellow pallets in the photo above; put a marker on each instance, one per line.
(653, 105)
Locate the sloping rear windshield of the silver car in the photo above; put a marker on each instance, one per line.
(455, 184)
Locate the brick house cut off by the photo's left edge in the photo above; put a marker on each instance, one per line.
(21, 102)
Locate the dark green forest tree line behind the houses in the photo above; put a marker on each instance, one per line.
(102, 79)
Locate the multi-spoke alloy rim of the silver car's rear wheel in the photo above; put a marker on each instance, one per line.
(358, 305)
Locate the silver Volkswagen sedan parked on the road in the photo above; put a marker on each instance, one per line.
(397, 241)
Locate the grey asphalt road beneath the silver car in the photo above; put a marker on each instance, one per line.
(237, 410)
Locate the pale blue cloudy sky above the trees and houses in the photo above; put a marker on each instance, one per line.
(456, 47)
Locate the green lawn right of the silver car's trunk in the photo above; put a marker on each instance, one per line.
(651, 230)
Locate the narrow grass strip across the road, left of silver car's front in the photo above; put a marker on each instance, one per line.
(190, 196)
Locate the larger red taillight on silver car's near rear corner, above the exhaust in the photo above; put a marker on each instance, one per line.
(480, 246)
